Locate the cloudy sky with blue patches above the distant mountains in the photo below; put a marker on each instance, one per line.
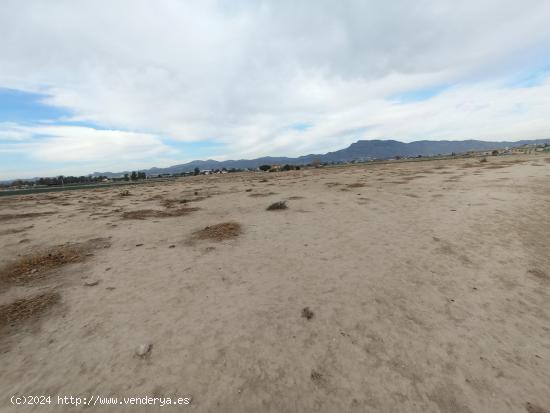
(108, 85)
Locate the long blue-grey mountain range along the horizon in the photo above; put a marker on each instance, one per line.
(358, 151)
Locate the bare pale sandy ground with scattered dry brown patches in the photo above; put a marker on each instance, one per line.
(407, 287)
